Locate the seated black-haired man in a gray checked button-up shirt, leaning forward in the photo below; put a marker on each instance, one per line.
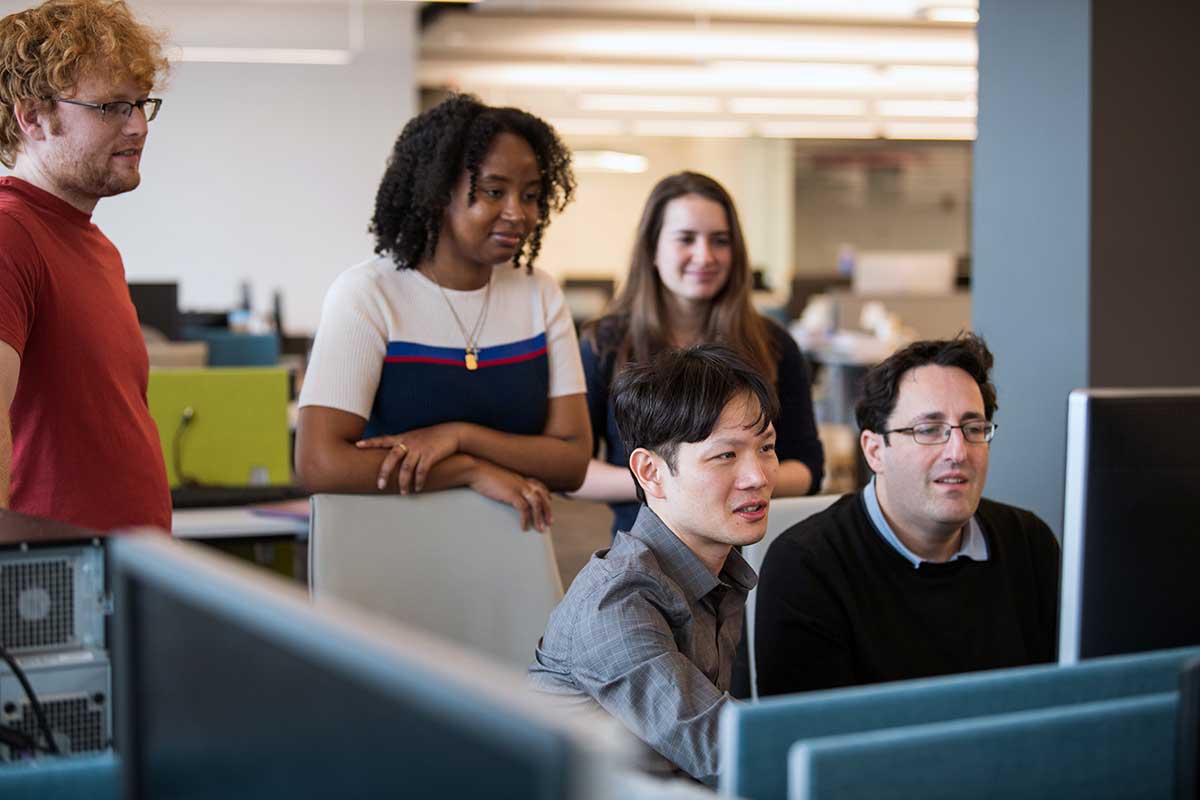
(649, 629)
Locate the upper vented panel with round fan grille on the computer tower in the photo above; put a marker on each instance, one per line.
(52, 599)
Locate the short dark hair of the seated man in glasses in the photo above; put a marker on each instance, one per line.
(881, 387)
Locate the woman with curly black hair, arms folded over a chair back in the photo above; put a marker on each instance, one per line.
(449, 360)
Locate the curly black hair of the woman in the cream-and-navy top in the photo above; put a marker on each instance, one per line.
(429, 159)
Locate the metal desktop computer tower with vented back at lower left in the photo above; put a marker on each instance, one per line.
(55, 605)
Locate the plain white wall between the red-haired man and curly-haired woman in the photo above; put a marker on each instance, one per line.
(265, 173)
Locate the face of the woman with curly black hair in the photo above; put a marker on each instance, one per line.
(479, 234)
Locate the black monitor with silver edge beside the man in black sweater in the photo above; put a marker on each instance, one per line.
(1131, 576)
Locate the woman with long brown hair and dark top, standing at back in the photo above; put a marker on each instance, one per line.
(689, 284)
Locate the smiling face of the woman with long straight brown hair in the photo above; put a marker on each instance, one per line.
(694, 254)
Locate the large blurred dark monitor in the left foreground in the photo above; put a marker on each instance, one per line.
(232, 685)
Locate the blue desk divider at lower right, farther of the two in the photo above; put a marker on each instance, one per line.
(755, 738)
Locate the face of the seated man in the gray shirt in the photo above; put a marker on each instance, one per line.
(721, 489)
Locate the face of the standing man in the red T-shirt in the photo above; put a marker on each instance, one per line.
(86, 157)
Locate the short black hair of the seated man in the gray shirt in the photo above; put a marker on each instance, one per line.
(681, 395)
